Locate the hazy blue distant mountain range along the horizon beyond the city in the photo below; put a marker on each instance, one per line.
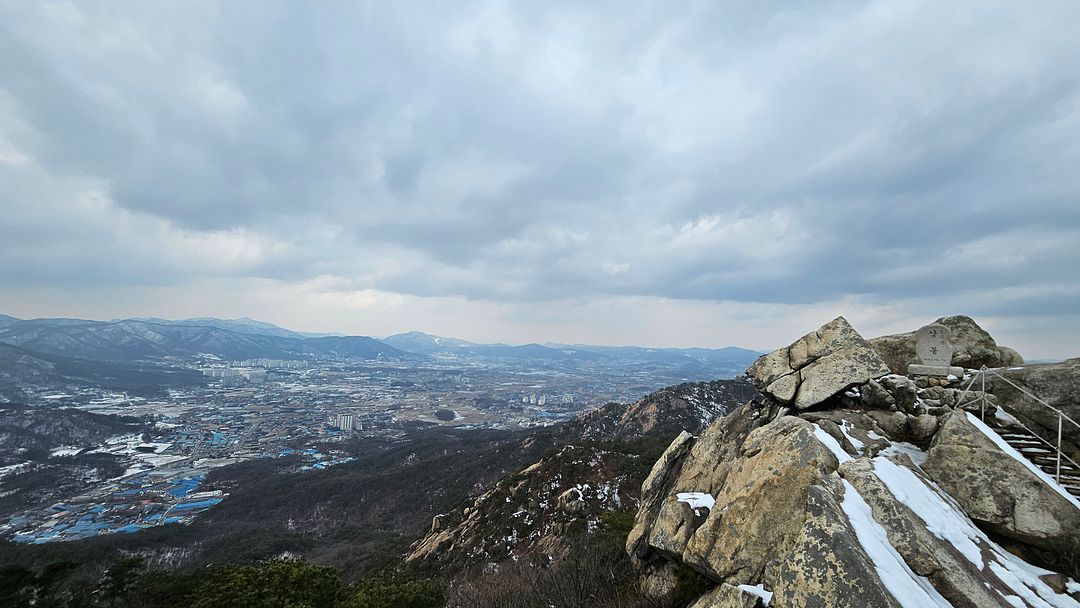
(235, 340)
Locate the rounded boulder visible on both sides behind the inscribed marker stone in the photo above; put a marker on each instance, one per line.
(974, 347)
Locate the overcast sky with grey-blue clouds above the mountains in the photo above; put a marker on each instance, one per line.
(690, 174)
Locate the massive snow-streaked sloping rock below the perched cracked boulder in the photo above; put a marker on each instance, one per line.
(823, 510)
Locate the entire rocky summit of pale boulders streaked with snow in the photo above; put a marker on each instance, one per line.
(849, 484)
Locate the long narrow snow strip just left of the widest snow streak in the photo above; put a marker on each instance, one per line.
(909, 589)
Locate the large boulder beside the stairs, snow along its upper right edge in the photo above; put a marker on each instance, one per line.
(1001, 492)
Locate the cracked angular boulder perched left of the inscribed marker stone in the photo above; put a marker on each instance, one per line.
(817, 367)
